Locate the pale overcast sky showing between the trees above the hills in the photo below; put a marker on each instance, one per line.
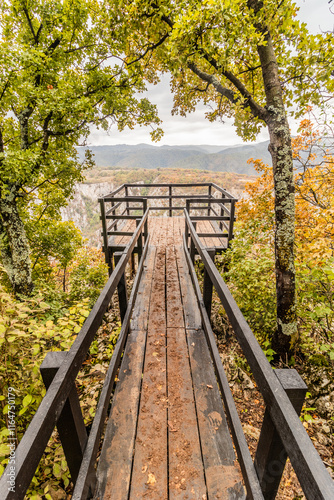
(195, 129)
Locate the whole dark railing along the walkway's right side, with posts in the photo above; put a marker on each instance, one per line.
(283, 392)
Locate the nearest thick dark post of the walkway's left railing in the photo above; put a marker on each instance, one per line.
(70, 425)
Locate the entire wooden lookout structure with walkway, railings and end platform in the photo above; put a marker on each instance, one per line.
(161, 417)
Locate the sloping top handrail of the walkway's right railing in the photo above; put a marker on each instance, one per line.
(311, 472)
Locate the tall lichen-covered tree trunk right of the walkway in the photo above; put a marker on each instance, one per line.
(281, 153)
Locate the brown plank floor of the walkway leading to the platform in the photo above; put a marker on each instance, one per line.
(167, 436)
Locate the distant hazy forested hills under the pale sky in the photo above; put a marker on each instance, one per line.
(212, 158)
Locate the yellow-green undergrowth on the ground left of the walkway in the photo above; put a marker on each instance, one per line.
(49, 321)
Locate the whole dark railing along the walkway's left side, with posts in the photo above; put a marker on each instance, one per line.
(60, 407)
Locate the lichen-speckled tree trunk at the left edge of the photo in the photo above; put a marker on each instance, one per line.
(14, 246)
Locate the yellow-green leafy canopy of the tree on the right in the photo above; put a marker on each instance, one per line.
(211, 49)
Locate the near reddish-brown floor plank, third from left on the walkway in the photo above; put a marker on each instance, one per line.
(186, 476)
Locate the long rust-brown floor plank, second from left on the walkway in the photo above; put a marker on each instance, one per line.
(150, 468)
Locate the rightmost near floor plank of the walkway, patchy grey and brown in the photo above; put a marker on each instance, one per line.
(223, 479)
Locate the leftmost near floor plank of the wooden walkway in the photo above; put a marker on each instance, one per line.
(114, 469)
